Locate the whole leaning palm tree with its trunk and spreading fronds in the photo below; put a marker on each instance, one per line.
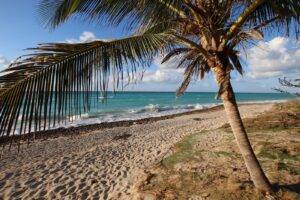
(43, 88)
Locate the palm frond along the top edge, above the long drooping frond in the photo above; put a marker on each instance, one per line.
(54, 12)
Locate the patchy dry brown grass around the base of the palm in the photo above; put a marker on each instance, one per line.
(208, 165)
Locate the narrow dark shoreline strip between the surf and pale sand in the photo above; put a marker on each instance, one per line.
(82, 129)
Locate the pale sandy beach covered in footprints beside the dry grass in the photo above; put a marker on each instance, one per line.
(101, 164)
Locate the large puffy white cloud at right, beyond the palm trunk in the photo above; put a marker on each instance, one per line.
(277, 57)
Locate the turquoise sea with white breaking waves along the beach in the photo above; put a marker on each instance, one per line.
(136, 105)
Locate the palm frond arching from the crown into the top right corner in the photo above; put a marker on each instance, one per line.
(282, 15)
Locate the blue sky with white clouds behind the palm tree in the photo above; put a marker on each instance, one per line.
(271, 59)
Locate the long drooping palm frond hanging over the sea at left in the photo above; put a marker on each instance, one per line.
(55, 82)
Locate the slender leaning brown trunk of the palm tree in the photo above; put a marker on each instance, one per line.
(260, 180)
